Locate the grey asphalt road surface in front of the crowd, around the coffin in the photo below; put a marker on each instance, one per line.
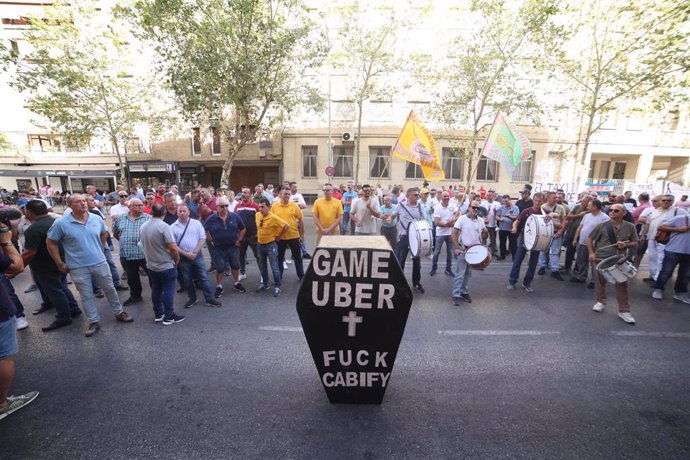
(512, 375)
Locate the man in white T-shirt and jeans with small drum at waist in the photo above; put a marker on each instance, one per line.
(468, 231)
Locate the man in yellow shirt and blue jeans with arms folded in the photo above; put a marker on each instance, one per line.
(270, 229)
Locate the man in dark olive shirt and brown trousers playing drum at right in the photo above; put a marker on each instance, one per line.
(609, 239)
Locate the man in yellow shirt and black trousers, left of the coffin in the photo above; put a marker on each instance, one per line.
(290, 212)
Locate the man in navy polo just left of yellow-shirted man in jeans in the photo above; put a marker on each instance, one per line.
(225, 230)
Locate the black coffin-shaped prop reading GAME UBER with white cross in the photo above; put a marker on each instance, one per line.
(353, 304)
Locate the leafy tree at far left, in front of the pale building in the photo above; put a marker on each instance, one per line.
(77, 75)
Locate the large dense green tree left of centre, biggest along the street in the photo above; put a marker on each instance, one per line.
(239, 64)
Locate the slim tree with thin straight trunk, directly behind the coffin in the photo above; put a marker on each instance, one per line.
(365, 54)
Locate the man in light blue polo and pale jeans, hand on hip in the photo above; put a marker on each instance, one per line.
(83, 236)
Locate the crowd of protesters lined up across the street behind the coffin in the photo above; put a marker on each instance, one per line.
(162, 235)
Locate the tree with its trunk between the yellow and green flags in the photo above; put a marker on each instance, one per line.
(495, 68)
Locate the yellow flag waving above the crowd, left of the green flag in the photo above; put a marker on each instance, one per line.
(417, 145)
